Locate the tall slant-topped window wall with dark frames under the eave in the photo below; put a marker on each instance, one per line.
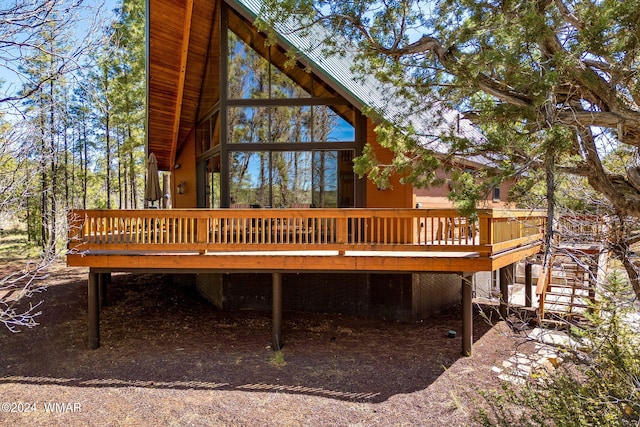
(287, 139)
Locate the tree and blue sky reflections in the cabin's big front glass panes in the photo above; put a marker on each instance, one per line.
(281, 176)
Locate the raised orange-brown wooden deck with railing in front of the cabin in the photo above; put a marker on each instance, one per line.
(364, 240)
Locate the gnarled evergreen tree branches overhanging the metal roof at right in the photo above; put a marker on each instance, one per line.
(550, 83)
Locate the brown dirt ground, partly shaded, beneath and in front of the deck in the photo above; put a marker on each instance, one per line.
(170, 358)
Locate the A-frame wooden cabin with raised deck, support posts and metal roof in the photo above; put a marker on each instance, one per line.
(266, 209)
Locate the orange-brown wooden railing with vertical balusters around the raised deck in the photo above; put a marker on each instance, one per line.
(302, 229)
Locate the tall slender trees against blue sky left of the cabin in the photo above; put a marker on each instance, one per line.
(71, 125)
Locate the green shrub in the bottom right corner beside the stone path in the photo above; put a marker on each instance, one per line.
(597, 385)
